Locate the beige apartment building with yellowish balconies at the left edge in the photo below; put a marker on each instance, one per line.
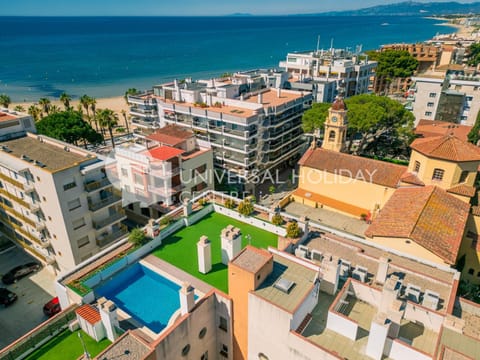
(55, 200)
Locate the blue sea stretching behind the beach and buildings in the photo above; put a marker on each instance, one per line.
(104, 56)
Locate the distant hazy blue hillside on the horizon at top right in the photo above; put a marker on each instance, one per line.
(409, 8)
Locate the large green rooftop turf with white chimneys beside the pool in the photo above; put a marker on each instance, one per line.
(180, 248)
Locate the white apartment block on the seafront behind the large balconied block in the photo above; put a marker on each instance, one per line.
(324, 71)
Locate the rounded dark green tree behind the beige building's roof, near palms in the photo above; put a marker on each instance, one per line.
(68, 126)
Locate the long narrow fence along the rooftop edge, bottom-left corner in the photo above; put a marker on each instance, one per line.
(38, 336)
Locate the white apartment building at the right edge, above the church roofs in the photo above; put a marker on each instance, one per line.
(453, 98)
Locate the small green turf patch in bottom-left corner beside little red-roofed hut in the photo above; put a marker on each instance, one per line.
(67, 346)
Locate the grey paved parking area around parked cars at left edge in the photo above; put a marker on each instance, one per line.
(33, 292)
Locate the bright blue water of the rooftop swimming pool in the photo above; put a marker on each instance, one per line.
(148, 297)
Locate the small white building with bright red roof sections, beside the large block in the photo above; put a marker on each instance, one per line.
(161, 170)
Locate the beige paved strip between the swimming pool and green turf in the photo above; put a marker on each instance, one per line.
(175, 274)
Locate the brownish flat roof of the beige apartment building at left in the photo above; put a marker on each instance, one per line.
(53, 157)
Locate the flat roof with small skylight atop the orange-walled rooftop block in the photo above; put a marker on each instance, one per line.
(302, 277)
